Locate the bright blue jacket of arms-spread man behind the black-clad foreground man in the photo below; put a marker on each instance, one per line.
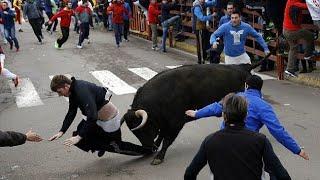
(259, 113)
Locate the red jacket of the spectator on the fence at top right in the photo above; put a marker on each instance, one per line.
(287, 22)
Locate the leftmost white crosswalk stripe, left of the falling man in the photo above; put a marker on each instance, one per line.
(26, 94)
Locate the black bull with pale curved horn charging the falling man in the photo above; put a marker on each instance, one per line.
(162, 101)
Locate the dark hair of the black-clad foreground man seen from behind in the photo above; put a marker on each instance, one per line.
(235, 108)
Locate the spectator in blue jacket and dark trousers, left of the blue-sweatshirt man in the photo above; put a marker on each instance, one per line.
(199, 20)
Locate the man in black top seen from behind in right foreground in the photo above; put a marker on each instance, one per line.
(235, 152)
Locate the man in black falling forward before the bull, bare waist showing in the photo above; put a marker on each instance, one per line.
(100, 128)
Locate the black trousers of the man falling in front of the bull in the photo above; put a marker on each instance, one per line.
(99, 140)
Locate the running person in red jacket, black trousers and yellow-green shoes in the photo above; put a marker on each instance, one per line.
(65, 15)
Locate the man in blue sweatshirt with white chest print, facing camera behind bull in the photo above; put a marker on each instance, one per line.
(234, 36)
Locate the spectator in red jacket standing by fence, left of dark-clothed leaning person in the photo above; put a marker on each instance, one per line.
(153, 13)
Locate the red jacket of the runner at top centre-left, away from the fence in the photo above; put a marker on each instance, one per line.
(118, 11)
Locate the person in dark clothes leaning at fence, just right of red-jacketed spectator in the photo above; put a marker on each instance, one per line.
(166, 20)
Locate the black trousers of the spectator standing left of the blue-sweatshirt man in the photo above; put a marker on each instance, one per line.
(203, 43)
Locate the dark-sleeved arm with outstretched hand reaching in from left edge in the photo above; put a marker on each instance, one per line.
(11, 138)
